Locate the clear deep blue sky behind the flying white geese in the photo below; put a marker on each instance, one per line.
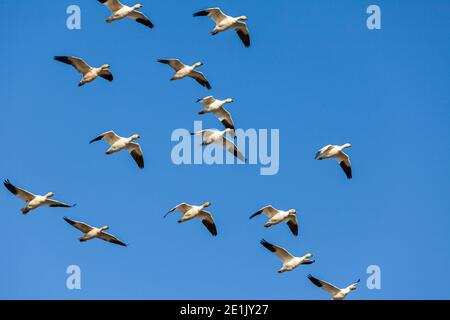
(314, 71)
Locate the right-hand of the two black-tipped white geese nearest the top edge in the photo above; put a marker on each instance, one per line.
(224, 22)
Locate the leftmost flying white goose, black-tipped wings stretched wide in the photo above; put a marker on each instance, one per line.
(34, 201)
